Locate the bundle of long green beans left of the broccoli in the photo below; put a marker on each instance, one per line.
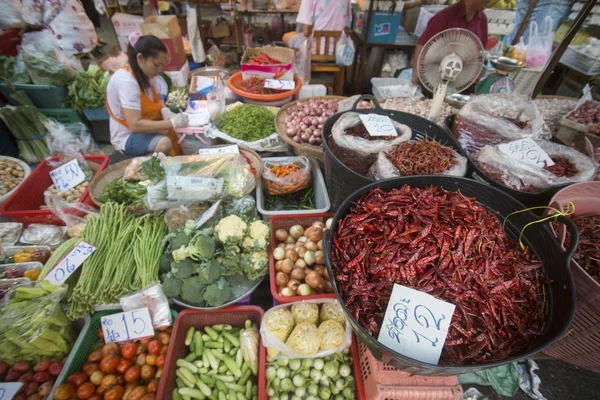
(126, 257)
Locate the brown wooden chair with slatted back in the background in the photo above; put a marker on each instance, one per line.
(323, 60)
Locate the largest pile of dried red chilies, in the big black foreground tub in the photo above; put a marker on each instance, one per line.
(451, 247)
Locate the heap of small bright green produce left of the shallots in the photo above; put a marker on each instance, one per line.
(247, 122)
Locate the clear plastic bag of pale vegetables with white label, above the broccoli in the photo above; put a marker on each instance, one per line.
(208, 177)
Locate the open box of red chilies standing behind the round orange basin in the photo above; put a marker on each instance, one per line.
(282, 71)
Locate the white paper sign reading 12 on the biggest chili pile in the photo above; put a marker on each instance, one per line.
(416, 324)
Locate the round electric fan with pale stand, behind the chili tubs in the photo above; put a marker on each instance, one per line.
(454, 58)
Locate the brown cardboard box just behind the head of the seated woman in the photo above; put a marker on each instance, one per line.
(166, 28)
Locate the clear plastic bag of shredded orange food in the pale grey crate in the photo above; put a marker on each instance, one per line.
(288, 175)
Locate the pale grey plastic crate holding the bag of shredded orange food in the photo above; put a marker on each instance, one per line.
(322, 203)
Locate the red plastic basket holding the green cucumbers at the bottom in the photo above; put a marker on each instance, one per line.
(234, 315)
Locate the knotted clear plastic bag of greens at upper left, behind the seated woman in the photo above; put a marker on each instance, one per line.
(46, 63)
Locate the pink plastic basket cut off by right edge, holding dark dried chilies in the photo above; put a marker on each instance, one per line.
(581, 344)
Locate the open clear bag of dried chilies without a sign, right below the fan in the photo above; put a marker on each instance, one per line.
(491, 119)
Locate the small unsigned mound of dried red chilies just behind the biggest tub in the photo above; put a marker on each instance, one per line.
(421, 157)
